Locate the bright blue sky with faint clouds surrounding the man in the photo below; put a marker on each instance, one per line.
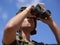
(8, 9)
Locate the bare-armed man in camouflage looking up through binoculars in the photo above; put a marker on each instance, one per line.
(23, 23)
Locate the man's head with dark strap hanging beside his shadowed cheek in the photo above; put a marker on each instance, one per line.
(29, 24)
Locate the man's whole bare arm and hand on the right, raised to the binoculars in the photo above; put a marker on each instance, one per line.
(55, 29)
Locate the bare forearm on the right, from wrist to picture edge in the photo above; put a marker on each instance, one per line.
(56, 31)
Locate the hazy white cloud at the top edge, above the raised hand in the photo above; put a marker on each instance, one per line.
(20, 3)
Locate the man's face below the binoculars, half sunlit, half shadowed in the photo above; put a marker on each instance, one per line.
(28, 24)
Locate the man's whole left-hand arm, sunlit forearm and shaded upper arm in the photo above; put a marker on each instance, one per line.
(13, 25)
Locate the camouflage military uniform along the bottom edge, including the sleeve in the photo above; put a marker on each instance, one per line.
(20, 41)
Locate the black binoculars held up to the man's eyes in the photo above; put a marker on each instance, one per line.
(38, 11)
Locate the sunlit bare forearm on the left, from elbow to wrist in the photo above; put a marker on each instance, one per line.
(17, 20)
